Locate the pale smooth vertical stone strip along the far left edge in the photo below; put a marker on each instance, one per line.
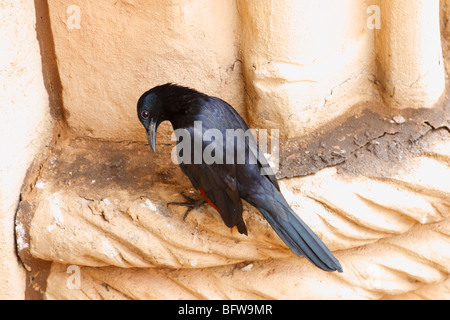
(25, 127)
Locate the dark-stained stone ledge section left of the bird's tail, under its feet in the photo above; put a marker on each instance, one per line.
(129, 224)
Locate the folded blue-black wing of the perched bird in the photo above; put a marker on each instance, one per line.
(218, 181)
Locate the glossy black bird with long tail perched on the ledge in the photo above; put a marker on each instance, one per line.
(225, 184)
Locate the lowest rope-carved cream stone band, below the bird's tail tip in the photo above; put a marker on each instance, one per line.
(374, 271)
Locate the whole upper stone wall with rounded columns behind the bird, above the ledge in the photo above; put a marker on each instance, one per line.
(347, 52)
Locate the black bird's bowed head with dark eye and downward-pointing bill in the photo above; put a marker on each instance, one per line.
(150, 113)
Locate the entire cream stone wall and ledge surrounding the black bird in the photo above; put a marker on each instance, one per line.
(356, 87)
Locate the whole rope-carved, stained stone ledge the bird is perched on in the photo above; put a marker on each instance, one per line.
(101, 208)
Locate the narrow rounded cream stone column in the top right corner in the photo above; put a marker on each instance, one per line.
(409, 53)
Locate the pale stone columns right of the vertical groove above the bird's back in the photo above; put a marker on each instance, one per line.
(306, 63)
